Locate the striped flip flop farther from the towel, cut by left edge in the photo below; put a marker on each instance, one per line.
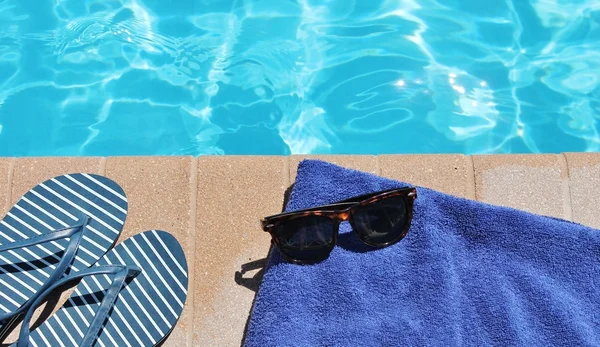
(61, 226)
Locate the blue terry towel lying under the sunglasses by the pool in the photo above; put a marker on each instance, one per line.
(467, 273)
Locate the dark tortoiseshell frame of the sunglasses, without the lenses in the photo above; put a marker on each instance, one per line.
(343, 211)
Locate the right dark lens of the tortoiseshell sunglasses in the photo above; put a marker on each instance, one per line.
(382, 222)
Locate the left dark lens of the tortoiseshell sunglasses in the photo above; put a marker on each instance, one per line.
(309, 238)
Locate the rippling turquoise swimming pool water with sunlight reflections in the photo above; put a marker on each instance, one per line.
(143, 77)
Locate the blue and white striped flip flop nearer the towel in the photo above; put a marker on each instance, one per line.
(133, 296)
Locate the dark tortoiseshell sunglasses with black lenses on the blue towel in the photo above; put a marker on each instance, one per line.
(379, 219)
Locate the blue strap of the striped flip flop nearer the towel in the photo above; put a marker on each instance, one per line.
(120, 272)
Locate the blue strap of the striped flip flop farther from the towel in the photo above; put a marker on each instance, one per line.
(75, 233)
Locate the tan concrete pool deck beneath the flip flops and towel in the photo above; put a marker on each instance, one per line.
(212, 204)
